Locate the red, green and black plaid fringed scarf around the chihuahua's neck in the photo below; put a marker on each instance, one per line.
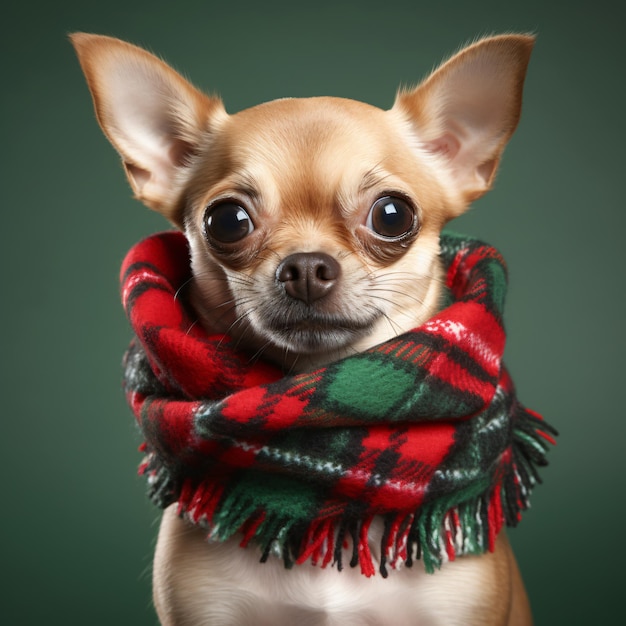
(424, 430)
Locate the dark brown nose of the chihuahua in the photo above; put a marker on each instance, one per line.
(308, 276)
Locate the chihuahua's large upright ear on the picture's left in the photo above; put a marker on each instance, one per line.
(154, 118)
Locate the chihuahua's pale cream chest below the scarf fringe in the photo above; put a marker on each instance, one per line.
(221, 583)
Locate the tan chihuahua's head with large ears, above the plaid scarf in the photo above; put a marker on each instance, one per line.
(313, 223)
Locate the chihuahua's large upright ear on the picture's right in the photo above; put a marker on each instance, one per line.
(468, 108)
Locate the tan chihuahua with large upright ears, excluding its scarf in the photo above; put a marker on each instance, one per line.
(314, 227)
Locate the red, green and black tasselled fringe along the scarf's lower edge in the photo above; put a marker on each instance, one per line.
(466, 522)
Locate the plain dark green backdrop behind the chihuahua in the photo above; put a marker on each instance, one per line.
(77, 532)
